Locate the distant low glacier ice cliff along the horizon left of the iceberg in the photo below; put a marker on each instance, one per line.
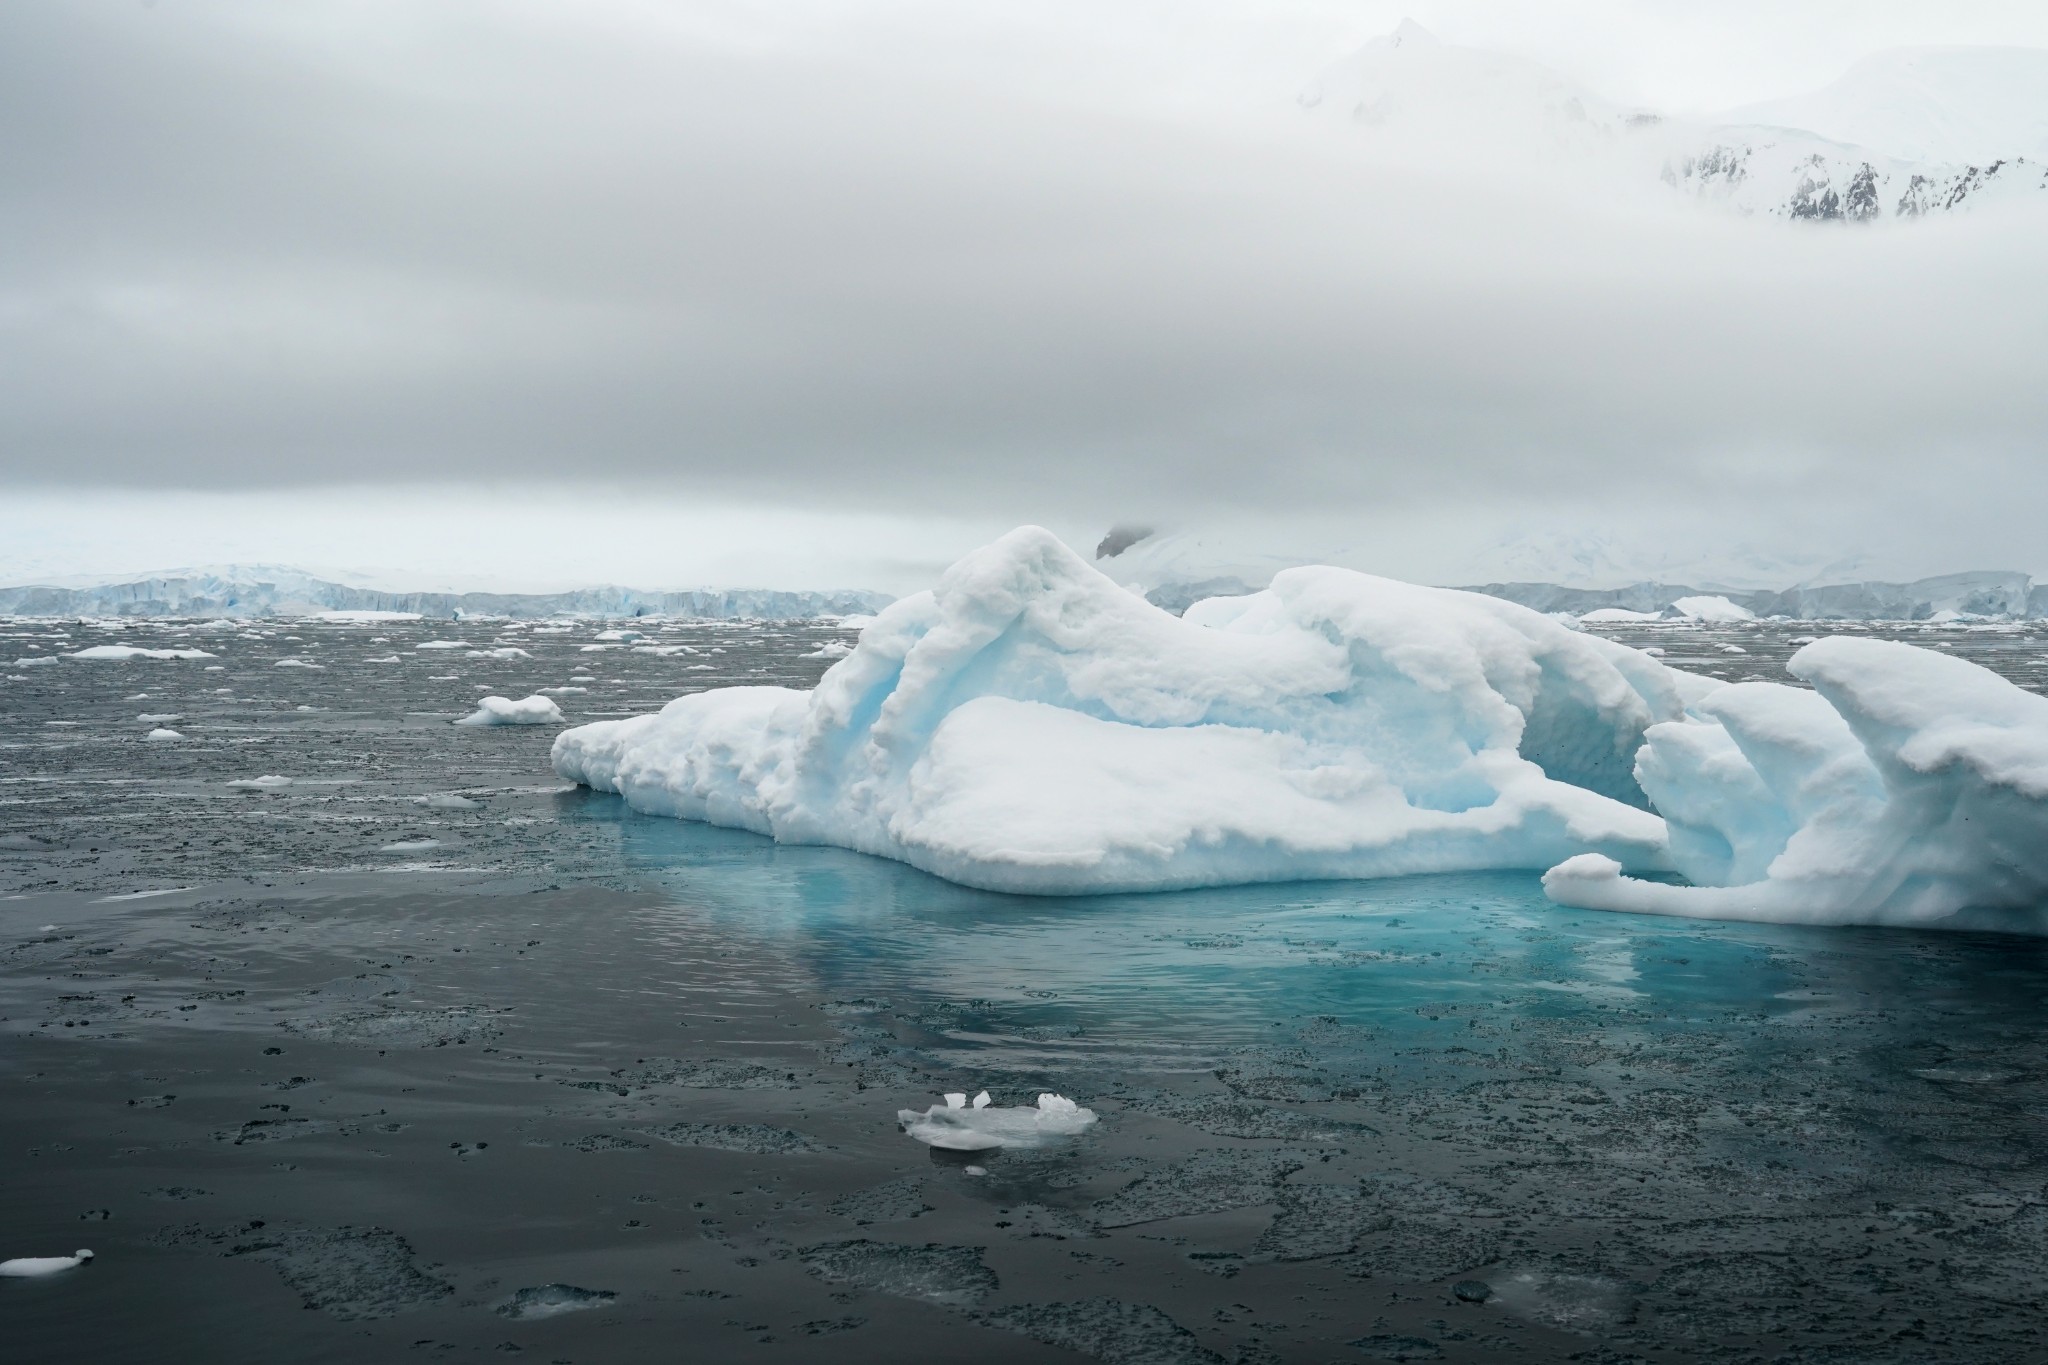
(269, 590)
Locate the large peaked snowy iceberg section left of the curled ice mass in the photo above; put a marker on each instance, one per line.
(1033, 728)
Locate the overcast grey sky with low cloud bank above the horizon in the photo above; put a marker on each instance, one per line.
(861, 283)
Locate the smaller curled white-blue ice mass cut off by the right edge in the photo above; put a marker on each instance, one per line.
(1906, 789)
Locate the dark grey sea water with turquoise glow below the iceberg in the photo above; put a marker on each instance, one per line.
(581, 1086)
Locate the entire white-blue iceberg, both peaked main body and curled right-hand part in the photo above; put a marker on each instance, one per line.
(1033, 728)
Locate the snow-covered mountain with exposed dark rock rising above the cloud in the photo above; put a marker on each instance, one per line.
(1902, 136)
